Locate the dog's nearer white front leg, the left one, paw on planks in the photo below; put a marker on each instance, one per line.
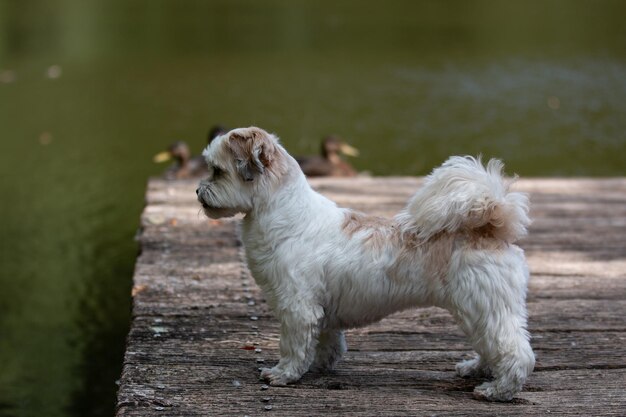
(299, 332)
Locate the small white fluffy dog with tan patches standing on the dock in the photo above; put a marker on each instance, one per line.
(324, 269)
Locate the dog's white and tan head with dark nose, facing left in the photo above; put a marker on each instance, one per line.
(245, 165)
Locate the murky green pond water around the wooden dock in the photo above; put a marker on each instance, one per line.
(90, 90)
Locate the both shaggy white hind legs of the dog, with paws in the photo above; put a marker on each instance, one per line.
(490, 308)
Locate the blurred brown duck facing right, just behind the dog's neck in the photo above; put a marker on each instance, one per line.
(329, 163)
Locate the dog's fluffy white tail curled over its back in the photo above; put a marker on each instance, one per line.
(464, 196)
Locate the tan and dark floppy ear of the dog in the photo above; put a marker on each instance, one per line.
(253, 150)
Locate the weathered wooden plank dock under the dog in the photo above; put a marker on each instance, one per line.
(201, 329)
